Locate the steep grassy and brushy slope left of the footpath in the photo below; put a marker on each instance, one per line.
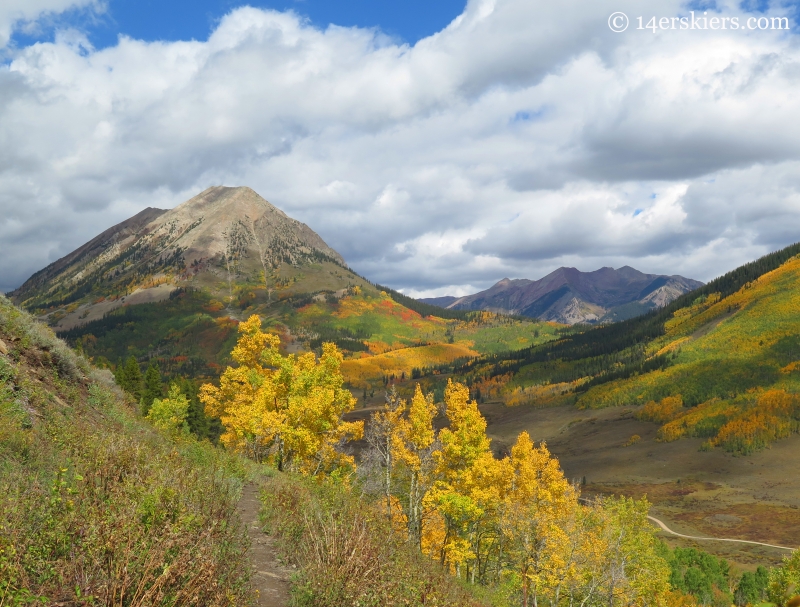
(97, 507)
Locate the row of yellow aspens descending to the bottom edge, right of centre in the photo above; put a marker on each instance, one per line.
(518, 513)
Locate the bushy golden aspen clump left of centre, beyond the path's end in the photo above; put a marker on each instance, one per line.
(286, 405)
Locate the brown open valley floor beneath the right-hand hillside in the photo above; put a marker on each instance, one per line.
(697, 493)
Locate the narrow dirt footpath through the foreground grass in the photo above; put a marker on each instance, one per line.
(270, 579)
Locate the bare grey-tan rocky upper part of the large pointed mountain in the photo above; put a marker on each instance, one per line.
(222, 236)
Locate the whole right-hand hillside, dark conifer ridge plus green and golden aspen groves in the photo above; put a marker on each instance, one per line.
(726, 358)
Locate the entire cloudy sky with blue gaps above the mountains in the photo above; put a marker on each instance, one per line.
(437, 149)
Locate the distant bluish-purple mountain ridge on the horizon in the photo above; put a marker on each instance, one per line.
(570, 296)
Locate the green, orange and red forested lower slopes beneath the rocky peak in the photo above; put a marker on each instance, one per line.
(191, 331)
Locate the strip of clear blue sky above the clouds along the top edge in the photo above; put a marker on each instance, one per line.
(150, 20)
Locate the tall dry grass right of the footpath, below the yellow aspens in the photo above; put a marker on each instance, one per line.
(346, 552)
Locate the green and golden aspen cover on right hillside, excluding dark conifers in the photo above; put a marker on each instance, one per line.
(734, 375)
